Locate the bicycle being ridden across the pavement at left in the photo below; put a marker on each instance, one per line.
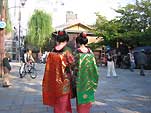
(28, 69)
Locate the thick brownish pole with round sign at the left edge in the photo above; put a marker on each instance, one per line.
(2, 32)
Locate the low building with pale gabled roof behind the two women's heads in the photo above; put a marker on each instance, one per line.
(74, 28)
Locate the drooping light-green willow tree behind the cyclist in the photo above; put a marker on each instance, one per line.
(39, 29)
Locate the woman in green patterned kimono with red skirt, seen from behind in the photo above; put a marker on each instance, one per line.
(86, 73)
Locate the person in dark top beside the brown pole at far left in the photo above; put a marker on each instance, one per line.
(6, 69)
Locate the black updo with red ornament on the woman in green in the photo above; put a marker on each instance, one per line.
(82, 38)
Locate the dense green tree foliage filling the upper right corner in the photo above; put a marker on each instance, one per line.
(133, 25)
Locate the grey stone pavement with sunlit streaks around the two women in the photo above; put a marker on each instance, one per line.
(129, 93)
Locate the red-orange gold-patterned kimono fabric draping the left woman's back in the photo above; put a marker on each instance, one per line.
(56, 81)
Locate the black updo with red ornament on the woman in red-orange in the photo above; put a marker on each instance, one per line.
(62, 36)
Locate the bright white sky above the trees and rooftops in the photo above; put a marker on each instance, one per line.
(85, 9)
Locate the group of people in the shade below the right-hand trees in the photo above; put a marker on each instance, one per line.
(125, 57)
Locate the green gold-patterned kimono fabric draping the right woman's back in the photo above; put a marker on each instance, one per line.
(87, 77)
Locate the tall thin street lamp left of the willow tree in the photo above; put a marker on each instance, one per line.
(22, 3)
